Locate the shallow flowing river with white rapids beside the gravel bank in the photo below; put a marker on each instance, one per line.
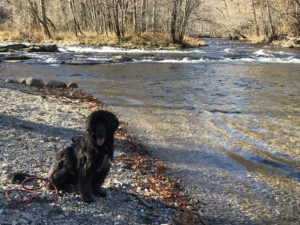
(226, 118)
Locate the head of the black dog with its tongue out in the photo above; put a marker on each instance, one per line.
(101, 125)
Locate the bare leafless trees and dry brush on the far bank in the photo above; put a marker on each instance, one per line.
(164, 22)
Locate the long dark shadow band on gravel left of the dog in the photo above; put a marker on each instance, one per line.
(8, 122)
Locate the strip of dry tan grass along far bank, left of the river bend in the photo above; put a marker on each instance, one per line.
(144, 40)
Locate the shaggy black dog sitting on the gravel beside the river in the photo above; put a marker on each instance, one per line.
(86, 163)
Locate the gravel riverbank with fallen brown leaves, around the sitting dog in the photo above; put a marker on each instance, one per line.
(37, 123)
